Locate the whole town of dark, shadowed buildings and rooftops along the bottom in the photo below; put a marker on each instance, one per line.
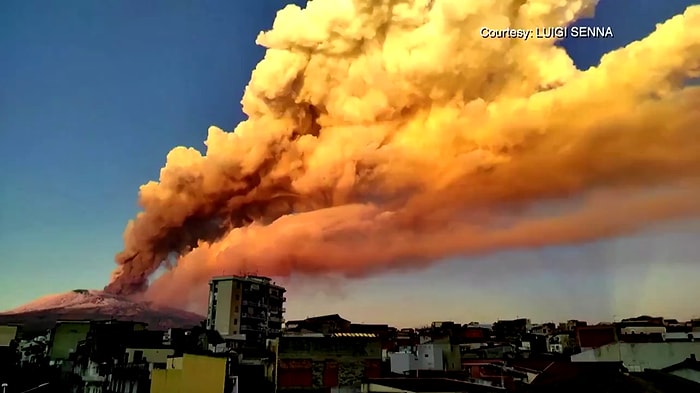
(246, 346)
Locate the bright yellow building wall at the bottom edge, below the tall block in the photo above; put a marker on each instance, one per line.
(199, 374)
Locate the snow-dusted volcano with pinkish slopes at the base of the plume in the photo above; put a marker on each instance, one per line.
(87, 304)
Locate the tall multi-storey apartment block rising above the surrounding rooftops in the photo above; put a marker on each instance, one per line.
(249, 307)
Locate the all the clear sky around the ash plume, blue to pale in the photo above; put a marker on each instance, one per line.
(94, 94)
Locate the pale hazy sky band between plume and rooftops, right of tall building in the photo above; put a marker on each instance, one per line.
(565, 297)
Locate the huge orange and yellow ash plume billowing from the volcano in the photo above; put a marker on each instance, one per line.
(388, 134)
